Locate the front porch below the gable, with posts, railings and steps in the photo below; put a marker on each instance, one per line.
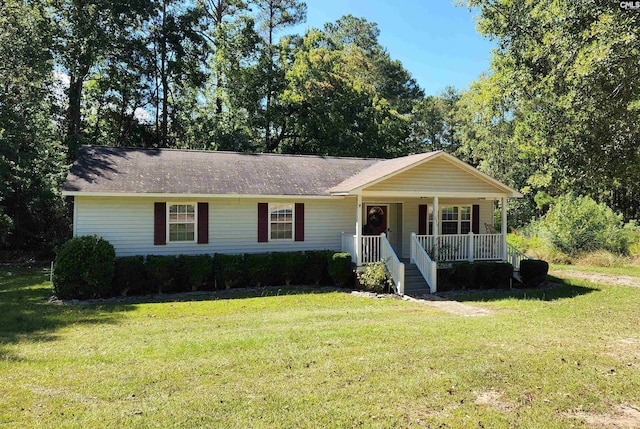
(422, 234)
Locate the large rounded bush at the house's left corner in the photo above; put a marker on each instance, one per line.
(84, 268)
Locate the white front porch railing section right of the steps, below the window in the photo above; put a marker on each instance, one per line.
(462, 247)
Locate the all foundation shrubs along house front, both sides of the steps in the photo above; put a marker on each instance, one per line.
(86, 267)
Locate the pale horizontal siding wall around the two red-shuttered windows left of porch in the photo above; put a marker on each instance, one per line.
(127, 223)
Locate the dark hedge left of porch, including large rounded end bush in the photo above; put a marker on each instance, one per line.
(86, 267)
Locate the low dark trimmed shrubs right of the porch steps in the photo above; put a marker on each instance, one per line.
(491, 275)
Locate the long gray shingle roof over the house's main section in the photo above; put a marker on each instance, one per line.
(131, 170)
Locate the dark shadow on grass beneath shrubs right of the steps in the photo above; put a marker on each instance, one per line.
(551, 290)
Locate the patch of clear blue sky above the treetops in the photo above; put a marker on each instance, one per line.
(435, 40)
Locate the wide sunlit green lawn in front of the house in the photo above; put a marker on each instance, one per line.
(317, 360)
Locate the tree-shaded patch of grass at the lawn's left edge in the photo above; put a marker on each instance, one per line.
(26, 316)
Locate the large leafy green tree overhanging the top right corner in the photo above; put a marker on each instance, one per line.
(571, 71)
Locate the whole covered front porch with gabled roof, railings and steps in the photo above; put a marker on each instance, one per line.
(425, 210)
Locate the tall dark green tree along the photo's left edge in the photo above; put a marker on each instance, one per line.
(31, 155)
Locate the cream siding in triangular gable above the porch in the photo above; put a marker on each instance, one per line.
(438, 175)
